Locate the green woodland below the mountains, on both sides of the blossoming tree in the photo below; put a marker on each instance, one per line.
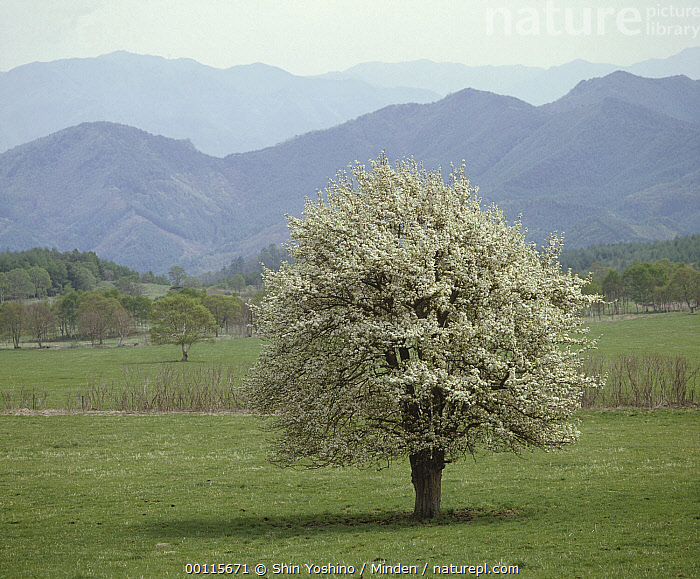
(47, 295)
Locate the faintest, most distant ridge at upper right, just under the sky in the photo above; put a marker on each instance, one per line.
(531, 84)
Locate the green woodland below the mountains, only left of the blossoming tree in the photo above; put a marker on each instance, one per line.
(47, 295)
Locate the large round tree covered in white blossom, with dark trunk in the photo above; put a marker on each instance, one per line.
(412, 323)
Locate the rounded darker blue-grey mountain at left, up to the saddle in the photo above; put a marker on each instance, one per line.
(119, 191)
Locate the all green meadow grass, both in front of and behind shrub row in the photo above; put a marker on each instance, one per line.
(144, 495)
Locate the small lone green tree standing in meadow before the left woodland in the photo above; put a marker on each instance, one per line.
(180, 319)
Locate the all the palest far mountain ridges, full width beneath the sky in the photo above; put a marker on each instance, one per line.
(243, 108)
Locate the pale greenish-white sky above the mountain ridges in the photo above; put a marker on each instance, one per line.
(308, 37)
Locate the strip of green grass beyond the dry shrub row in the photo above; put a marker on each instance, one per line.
(63, 370)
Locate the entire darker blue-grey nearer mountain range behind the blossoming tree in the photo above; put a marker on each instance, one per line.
(616, 159)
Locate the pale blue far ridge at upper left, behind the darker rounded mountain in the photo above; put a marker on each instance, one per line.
(221, 110)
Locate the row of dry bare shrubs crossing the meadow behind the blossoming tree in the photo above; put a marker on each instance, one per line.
(648, 381)
